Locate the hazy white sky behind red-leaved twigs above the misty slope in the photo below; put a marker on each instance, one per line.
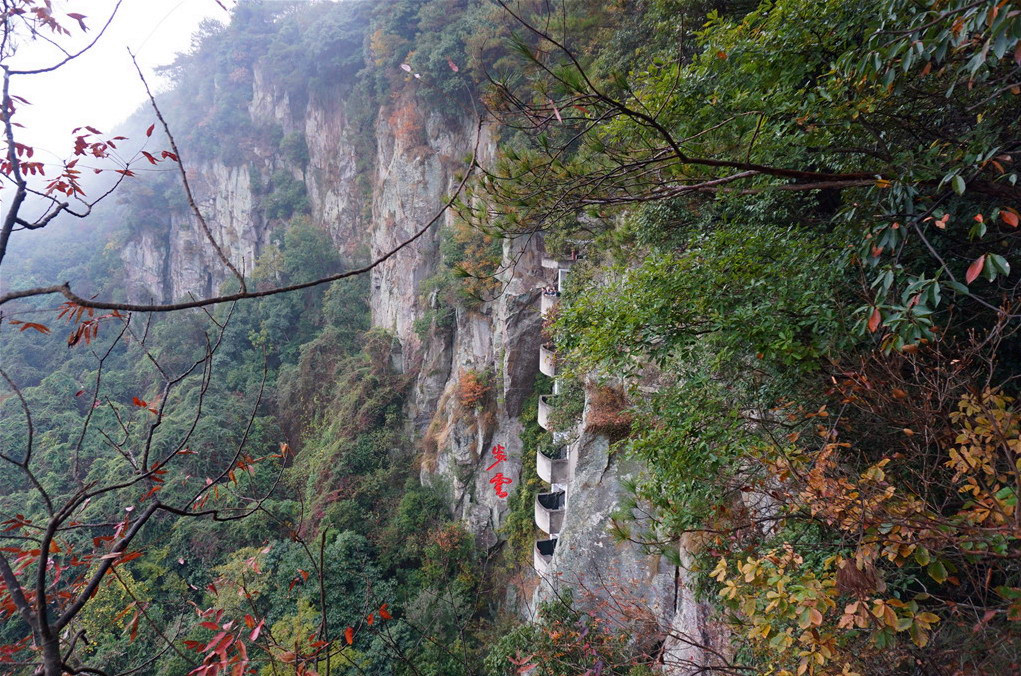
(102, 88)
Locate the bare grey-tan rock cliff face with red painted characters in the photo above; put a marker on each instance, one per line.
(419, 153)
